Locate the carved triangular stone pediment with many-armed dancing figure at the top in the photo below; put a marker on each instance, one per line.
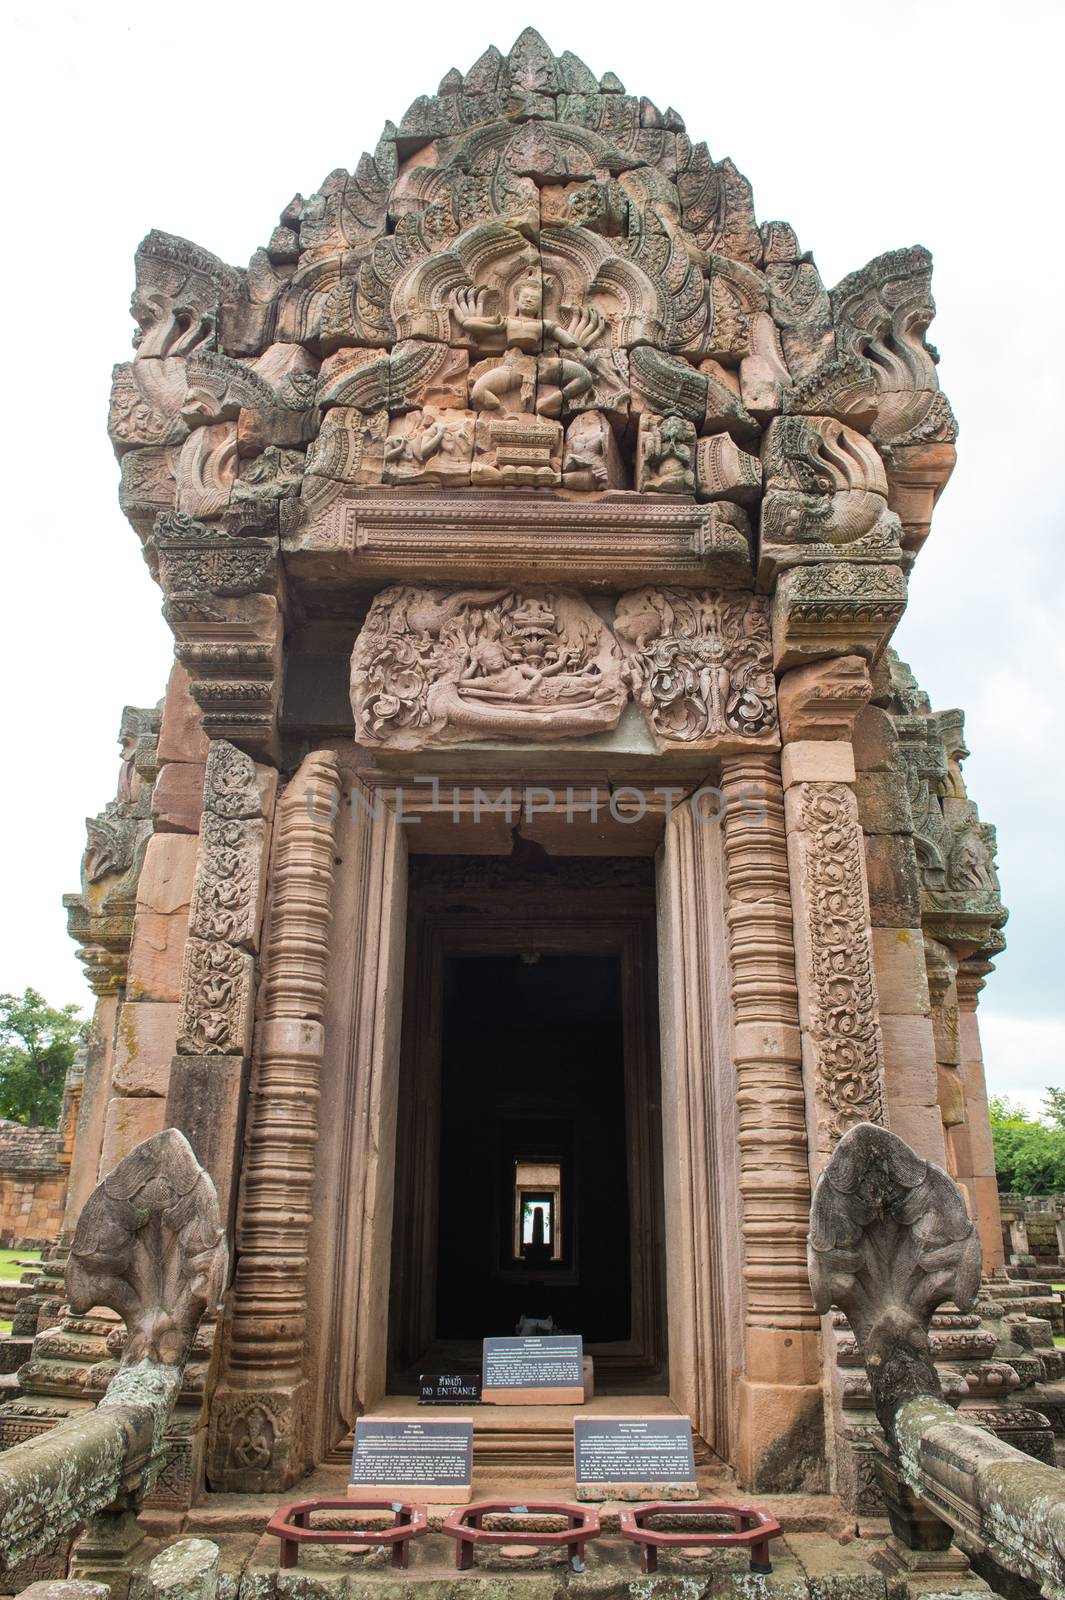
(536, 218)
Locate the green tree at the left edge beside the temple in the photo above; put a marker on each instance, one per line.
(38, 1046)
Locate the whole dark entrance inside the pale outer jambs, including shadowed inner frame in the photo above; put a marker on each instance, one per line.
(529, 1190)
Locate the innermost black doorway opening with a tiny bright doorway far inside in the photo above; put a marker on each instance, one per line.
(533, 1186)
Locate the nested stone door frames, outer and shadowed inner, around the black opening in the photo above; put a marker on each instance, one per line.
(441, 886)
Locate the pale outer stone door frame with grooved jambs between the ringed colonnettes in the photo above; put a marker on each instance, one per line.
(349, 1270)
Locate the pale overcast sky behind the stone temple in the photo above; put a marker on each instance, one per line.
(868, 127)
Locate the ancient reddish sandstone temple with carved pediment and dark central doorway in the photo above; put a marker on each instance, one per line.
(538, 814)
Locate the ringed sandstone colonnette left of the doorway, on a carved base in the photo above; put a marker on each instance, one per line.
(258, 1417)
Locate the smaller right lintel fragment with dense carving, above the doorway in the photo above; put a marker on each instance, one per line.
(701, 666)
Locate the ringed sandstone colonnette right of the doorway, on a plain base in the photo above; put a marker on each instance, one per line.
(781, 1401)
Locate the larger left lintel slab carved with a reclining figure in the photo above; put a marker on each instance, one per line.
(484, 665)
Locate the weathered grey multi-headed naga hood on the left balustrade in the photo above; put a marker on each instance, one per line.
(150, 1246)
